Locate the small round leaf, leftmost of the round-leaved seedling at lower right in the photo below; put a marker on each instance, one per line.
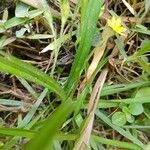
(119, 118)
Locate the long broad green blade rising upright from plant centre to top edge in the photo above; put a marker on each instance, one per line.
(87, 34)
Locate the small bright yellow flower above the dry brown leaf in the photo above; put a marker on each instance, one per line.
(115, 24)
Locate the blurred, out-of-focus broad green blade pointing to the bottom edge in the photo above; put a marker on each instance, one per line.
(50, 128)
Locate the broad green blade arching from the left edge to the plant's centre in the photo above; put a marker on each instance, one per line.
(17, 67)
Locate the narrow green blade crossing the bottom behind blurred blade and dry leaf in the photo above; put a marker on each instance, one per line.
(62, 136)
